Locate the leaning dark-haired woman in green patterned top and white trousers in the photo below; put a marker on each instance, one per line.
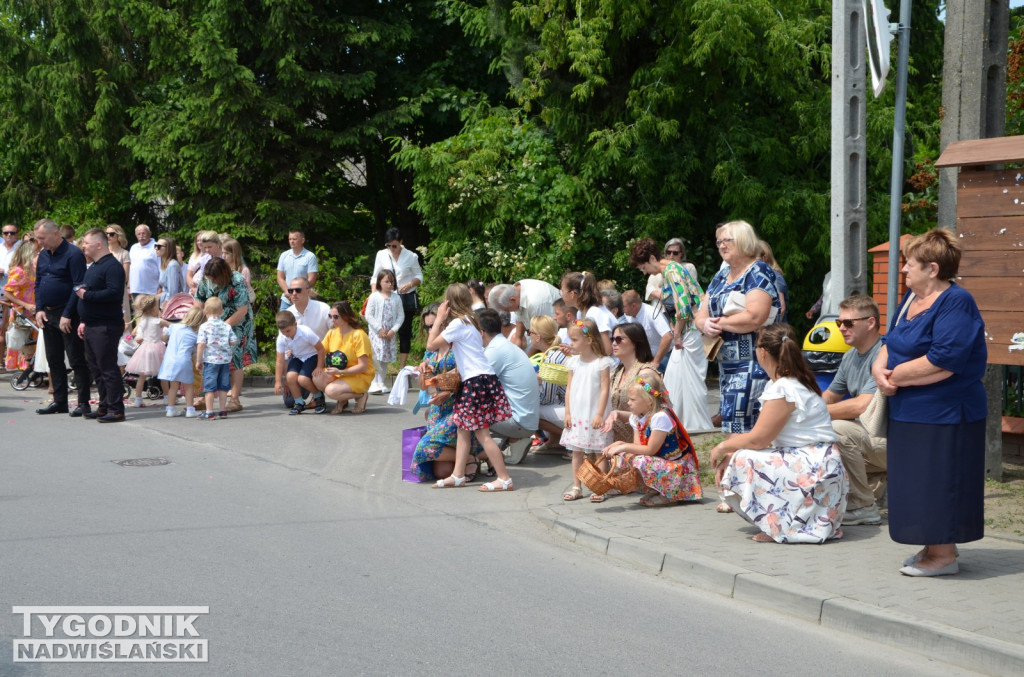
(687, 370)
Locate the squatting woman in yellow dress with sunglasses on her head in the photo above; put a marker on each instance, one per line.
(353, 383)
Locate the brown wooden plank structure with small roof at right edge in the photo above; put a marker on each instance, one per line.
(991, 226)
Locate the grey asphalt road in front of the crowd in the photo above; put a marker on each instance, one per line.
(316, 560)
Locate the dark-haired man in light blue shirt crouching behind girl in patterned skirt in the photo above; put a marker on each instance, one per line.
(518, 376)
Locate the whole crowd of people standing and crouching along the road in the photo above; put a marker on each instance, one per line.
(614, 379)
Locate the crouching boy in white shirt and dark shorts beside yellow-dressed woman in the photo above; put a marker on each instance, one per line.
(307, 363)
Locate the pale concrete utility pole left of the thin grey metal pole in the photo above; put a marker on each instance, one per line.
(849, 147)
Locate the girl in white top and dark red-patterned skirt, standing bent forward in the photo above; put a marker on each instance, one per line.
(480, 400)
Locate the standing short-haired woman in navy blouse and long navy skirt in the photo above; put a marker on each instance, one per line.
(931, 368)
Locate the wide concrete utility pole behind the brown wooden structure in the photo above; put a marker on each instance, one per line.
(974, 102)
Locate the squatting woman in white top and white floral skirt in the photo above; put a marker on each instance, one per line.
(786, 476)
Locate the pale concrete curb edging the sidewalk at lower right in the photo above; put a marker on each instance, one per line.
(934, 641)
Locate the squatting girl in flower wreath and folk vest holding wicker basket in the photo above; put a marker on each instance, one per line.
(662, 451)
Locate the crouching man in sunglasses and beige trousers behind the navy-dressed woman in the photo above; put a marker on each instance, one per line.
(864, 456)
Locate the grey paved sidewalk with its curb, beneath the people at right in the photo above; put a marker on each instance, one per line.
(974, 620)
